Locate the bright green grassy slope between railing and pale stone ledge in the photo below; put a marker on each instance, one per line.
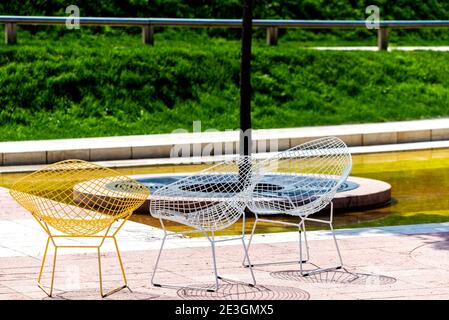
(110, 85)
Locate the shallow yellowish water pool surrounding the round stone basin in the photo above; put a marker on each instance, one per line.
(420, 190)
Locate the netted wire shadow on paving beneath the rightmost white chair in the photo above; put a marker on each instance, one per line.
(341, 276)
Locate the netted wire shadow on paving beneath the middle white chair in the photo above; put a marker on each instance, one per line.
(229, 290)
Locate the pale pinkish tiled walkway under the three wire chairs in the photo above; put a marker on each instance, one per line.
(382, 263)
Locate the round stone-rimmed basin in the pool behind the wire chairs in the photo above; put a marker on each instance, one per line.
(355, 194)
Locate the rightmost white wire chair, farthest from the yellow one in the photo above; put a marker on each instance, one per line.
(299, 182)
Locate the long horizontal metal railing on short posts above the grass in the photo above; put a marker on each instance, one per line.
(272, 26)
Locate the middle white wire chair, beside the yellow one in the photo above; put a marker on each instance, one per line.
(208, 201)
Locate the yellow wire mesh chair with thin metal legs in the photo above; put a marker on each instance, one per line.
(77, 199)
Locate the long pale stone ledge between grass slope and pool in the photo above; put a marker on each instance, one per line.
(213, 143)
